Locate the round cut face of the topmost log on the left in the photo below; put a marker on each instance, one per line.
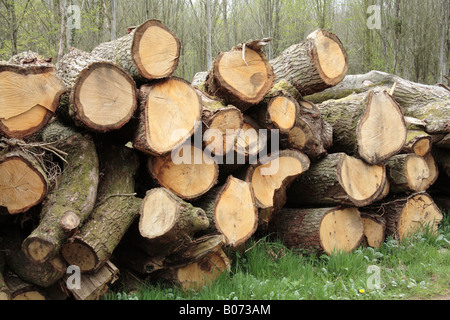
(155, 50)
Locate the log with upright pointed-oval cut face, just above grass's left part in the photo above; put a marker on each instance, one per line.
(231, 210)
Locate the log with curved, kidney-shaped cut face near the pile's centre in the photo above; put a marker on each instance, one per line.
(270, 179)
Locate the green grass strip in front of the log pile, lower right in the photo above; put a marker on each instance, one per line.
(418, 267)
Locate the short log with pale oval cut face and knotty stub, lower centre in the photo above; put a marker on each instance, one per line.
(167, 222)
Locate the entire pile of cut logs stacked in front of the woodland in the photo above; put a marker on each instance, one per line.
(109, 162)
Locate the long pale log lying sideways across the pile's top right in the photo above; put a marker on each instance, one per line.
(425, 102)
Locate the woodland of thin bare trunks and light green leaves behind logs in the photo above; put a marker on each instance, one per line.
(409, 38)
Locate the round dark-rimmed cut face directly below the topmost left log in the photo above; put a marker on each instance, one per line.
(105, 97)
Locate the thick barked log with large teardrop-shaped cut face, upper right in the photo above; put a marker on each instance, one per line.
(370, 125)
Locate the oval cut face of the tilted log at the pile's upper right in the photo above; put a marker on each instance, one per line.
(329, 56)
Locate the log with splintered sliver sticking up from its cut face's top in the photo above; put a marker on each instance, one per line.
(242, 76)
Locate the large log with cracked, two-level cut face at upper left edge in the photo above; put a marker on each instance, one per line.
(30, 92)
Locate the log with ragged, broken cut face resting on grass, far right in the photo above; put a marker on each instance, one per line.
(408, 216)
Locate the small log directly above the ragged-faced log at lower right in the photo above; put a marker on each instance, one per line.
(408, 173)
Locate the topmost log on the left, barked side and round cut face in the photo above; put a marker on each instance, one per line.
(151, 51)
